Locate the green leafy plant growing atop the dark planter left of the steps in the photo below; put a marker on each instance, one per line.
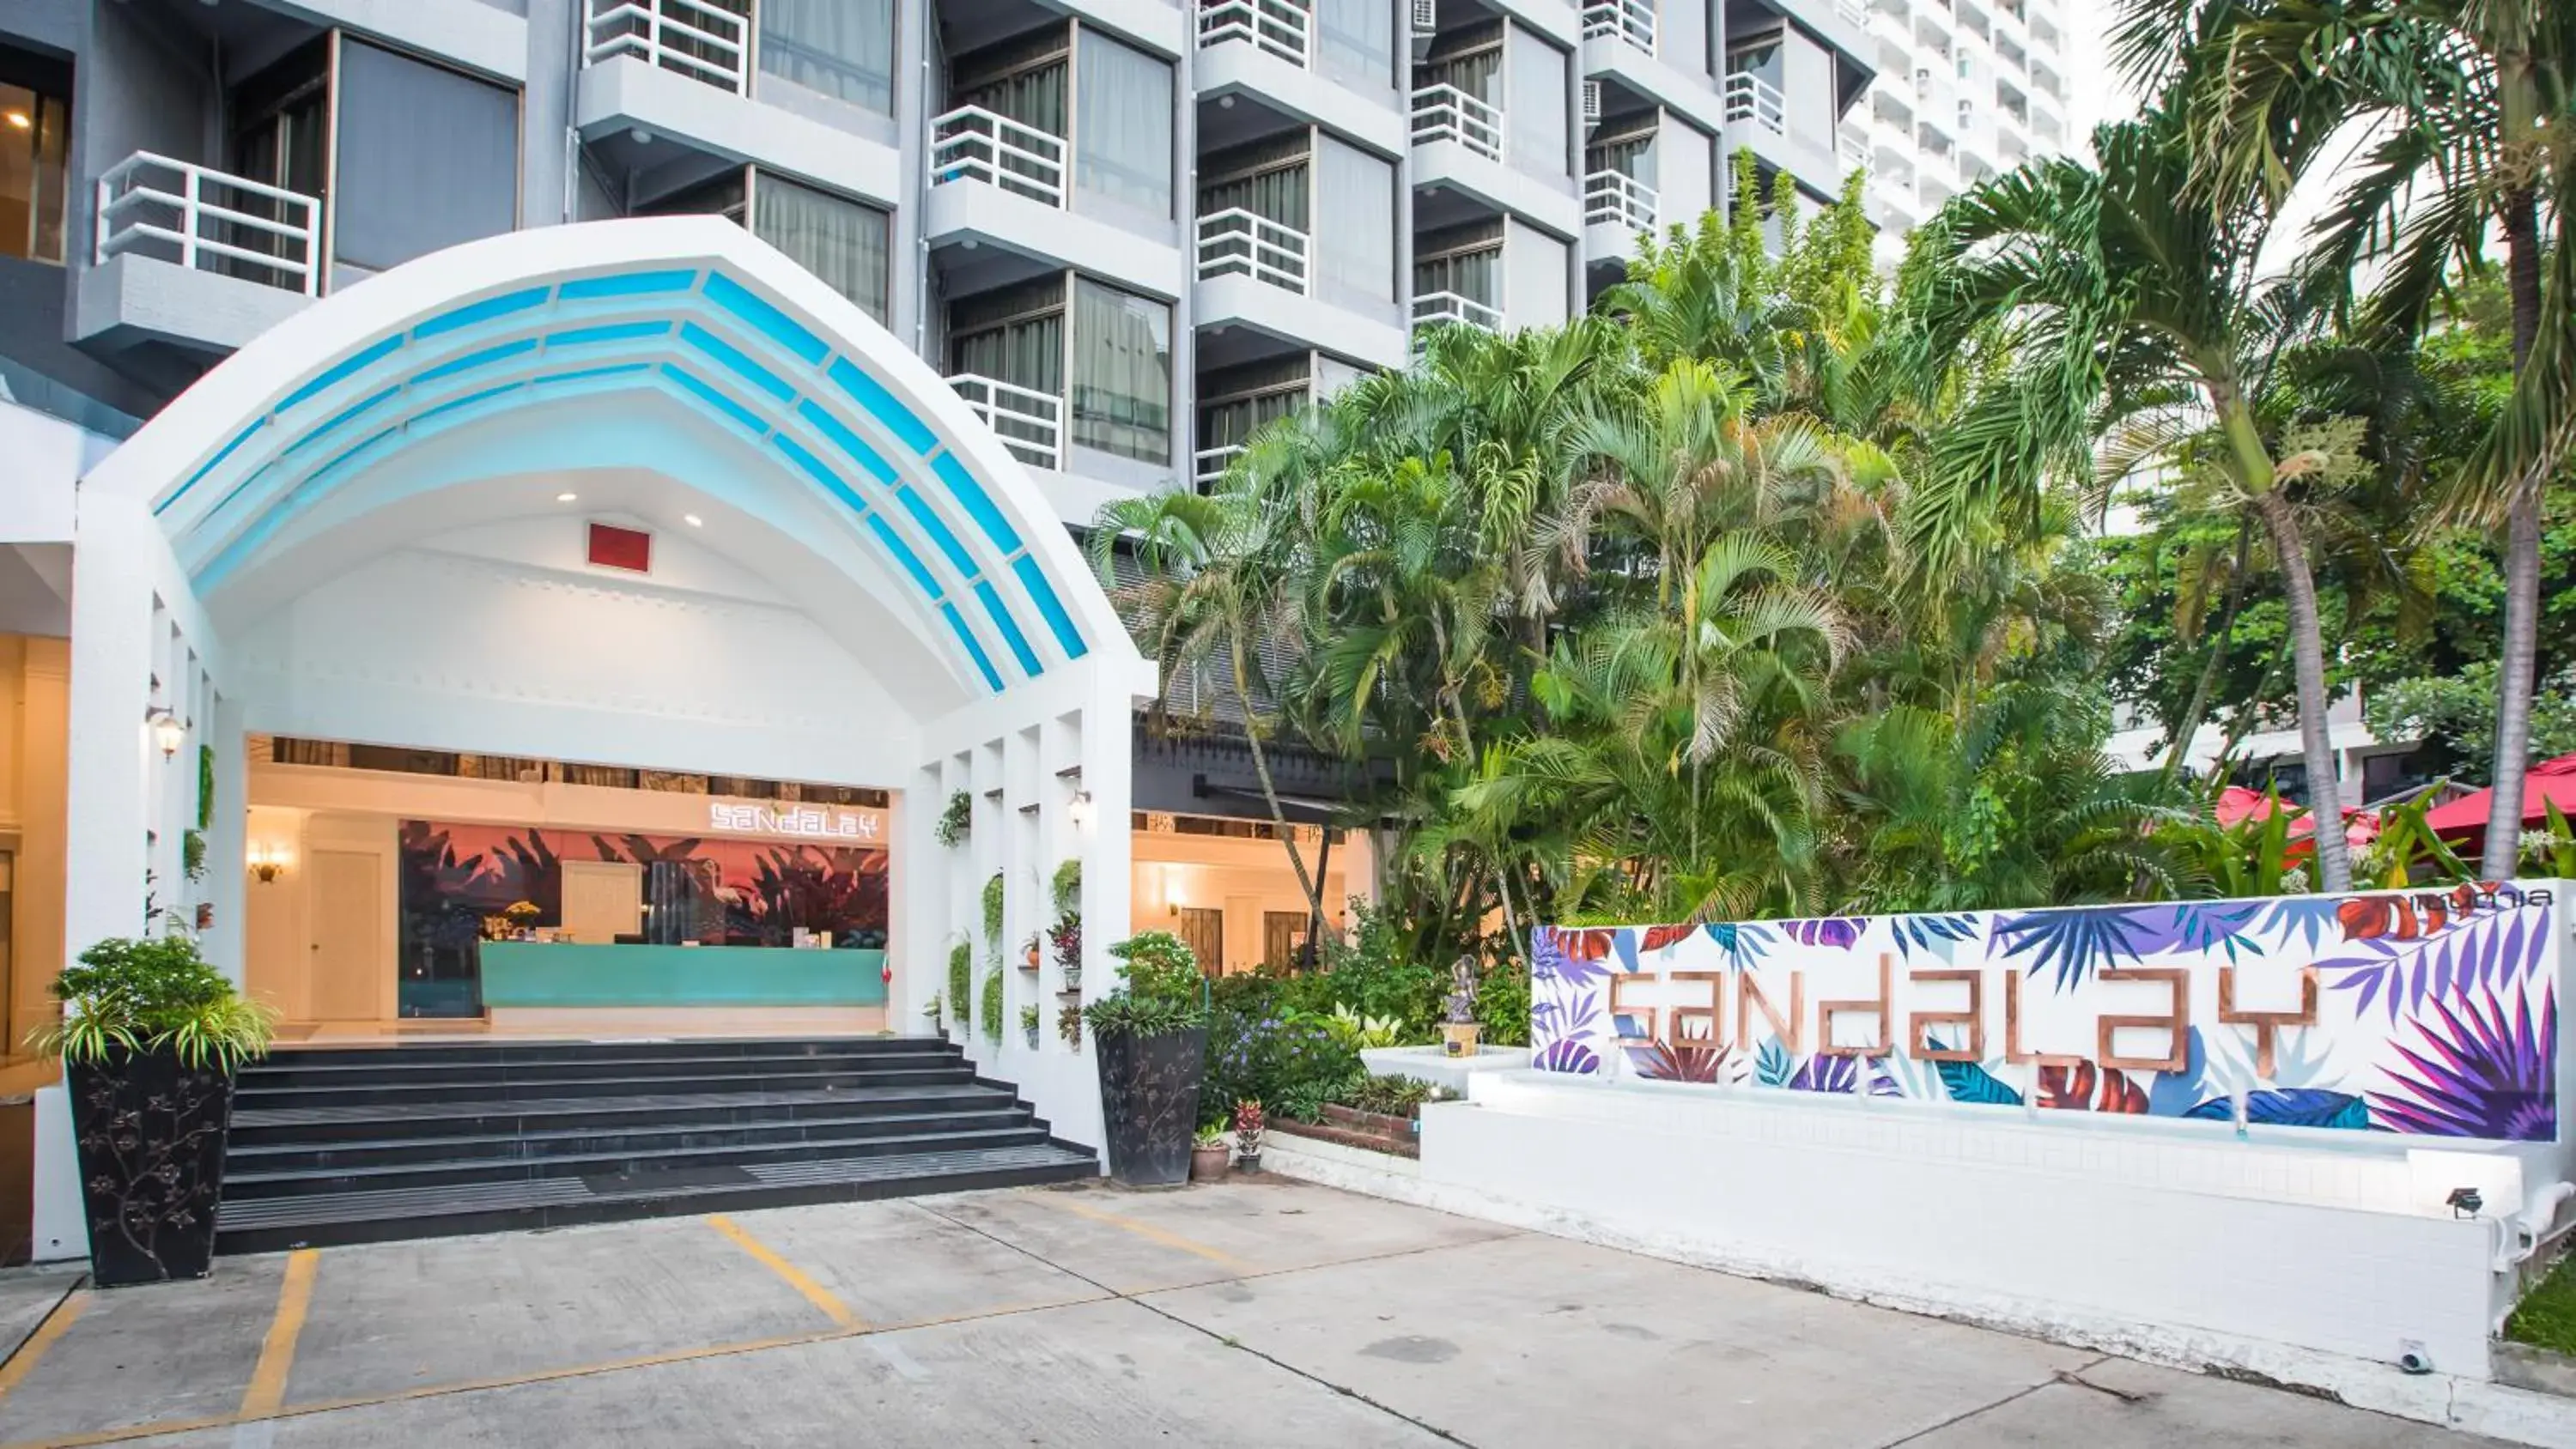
(153, 995)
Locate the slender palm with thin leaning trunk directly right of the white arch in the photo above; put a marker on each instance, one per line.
(1217, 580)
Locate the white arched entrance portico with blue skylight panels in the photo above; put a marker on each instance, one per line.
(367, 526)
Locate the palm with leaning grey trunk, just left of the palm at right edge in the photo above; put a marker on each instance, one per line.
(2124, 295)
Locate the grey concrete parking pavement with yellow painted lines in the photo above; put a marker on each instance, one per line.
(1243, 1314)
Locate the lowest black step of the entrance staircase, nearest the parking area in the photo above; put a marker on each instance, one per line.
(277, 1224)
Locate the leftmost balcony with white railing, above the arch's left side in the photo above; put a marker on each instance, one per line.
(194, 256)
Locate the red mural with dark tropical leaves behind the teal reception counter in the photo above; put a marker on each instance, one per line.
(705, 889)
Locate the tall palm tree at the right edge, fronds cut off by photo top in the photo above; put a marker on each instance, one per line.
(2474, 117)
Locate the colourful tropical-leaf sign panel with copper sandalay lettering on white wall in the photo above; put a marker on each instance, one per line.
(2425, 1013)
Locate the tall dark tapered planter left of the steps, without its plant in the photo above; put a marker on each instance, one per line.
(151, 1165)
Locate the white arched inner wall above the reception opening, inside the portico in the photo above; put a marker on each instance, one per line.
(501, 640)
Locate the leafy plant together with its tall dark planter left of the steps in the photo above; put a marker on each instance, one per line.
(151, 1038)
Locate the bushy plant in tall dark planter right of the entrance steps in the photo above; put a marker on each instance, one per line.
(1150, 1046)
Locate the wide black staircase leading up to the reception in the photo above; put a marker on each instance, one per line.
(426, 1141)
